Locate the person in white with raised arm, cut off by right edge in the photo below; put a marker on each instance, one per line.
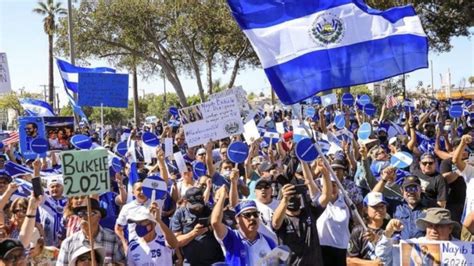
(467, 171)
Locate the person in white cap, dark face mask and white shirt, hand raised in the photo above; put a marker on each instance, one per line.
(152, 247)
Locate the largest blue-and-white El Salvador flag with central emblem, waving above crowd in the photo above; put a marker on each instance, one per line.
(308, 46)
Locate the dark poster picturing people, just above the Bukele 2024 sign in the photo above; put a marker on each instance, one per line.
(59, 130)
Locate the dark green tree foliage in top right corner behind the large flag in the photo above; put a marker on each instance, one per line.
(441, 20)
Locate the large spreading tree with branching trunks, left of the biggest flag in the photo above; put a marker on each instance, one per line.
(166, 35)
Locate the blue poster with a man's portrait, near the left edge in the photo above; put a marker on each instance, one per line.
(29, 129)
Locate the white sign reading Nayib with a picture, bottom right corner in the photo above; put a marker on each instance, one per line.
(423, 252)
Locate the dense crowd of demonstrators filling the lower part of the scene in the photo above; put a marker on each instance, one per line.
(238, 213)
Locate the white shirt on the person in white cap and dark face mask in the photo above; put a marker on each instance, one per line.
(152, 253)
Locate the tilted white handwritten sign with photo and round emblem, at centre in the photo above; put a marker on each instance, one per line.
(212, 120)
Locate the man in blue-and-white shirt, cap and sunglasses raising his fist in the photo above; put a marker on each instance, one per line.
(243, 246)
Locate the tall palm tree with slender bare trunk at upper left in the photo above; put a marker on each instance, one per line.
(49, 9)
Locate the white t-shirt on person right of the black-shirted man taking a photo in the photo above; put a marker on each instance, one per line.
(333, 225)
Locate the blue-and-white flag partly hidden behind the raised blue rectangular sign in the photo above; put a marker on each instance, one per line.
(70, 73)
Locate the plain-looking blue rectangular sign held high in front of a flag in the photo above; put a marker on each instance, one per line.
(96, 89)
